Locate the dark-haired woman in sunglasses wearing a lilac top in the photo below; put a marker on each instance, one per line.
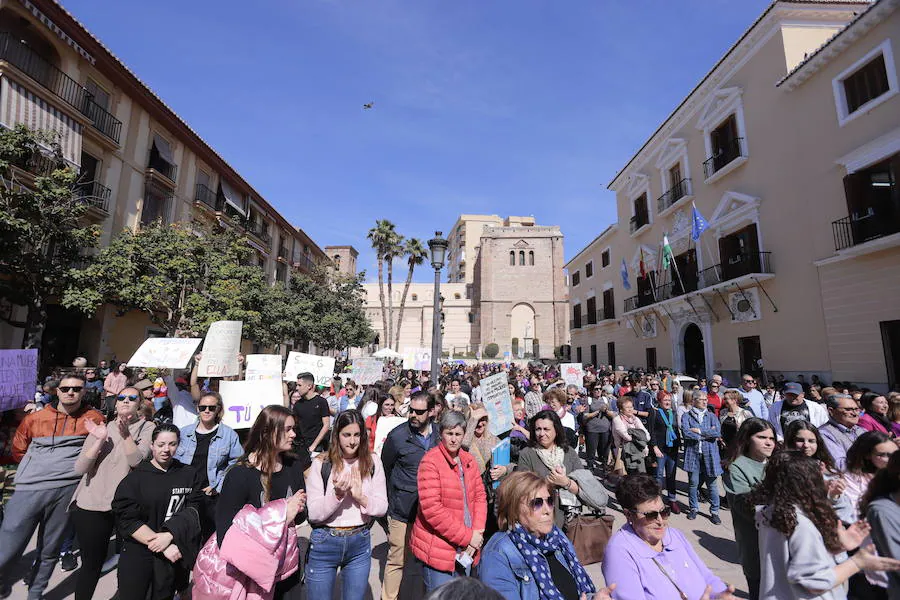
(648, 560)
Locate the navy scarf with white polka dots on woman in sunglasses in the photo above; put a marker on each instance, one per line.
(533, 550)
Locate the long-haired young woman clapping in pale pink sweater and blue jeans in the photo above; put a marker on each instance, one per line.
(347, 490)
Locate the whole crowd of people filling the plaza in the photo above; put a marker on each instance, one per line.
(134, 470)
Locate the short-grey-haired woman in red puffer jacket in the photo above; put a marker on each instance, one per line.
(452, 507)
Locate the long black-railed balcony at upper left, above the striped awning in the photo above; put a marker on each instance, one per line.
(59, 84)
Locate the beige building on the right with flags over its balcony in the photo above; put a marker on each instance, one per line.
(790, 149)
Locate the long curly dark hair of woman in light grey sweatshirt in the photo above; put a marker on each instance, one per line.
(792, 482)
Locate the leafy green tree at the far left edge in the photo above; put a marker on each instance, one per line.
(43, 226)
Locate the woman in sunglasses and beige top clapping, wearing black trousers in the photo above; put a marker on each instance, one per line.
(109, 453)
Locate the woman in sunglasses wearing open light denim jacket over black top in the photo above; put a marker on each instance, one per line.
(210, 447)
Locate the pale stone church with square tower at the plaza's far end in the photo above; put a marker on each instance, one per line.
(506, 286)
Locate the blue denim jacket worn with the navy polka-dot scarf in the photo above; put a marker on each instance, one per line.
(504, 569)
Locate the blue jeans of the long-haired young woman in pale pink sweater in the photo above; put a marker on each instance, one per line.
(353, 554)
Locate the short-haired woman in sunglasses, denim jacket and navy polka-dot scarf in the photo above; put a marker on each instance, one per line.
(531, 558)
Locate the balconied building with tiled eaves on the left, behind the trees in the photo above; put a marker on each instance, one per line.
(139, 160)
